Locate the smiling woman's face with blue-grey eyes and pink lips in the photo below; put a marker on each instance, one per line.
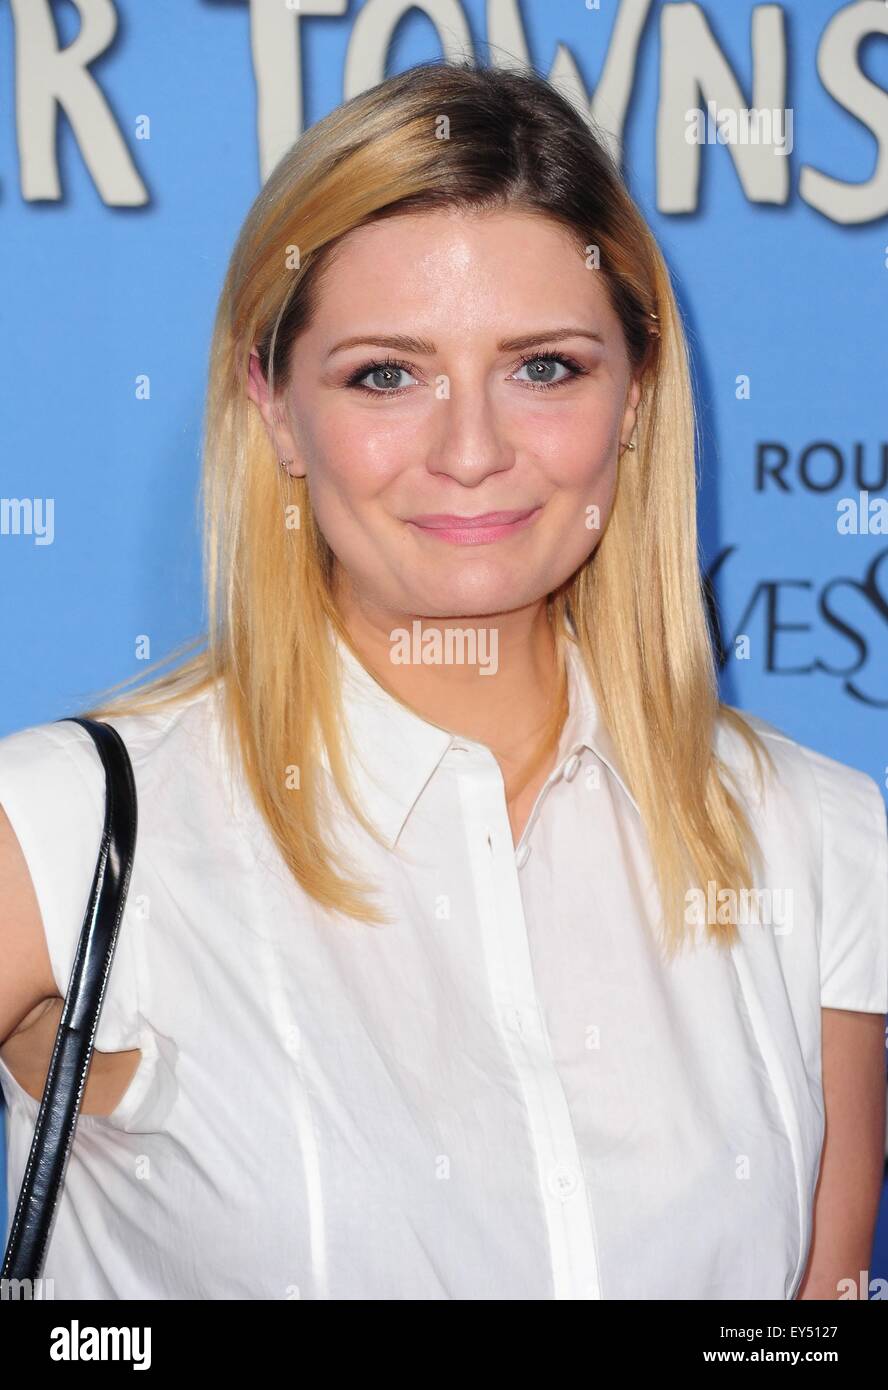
(458, 408)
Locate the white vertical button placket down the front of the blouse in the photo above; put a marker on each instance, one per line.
(501, 911)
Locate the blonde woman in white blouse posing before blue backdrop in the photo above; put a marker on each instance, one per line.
(438, 978)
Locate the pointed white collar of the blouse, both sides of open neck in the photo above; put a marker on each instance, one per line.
(393, 753)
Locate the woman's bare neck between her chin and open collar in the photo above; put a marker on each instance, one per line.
(507, 694)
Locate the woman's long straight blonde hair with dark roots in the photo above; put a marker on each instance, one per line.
(636, 605)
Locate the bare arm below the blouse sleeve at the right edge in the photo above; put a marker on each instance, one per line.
(854, 1154)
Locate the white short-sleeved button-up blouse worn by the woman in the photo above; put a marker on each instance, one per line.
(507, 1093)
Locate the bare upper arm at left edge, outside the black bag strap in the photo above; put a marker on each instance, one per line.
(27, 979)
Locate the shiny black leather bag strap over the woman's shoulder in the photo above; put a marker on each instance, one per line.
(66, 1079)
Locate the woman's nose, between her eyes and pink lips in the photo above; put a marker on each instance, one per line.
(470, 440)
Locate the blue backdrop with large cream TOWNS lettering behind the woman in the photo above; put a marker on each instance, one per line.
(141, 134)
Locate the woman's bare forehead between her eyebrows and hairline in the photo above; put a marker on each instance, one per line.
(462, 268)
